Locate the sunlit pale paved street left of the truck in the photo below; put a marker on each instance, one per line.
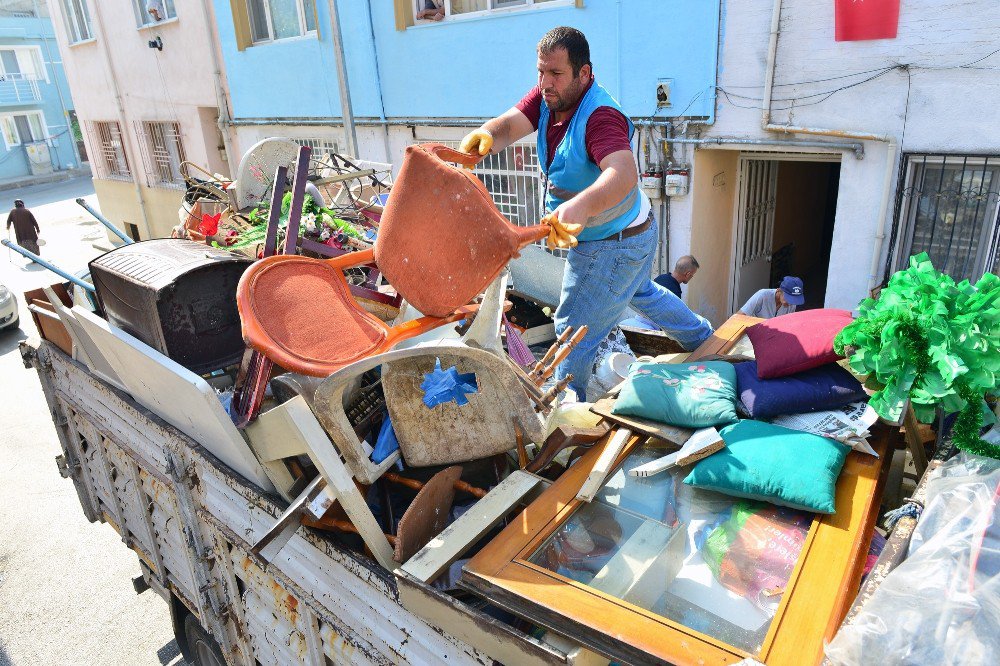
(66, 595)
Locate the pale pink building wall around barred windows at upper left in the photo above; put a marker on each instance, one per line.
(173, 85)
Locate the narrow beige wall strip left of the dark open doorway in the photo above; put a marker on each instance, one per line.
(712, 195)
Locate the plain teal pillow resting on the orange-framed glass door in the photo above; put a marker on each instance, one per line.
(774, 464)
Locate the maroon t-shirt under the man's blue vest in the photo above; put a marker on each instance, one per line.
(607, 128)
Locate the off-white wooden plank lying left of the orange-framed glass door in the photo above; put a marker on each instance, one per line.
(448, 546)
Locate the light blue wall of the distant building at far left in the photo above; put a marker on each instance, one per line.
(39, 32)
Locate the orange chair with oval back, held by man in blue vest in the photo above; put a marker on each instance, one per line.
(438, 252)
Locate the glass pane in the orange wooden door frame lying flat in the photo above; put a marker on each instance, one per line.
(711, 563)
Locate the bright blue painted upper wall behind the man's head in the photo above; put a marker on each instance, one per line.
(474, 67)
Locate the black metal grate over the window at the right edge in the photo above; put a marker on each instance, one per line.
(949, 208)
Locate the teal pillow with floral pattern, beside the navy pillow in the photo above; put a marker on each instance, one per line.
(688, 395)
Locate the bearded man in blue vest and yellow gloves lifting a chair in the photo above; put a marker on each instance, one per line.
(591, 180)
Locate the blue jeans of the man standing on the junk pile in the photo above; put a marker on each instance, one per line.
(601, 279)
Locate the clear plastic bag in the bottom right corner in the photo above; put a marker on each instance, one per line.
(942, 604)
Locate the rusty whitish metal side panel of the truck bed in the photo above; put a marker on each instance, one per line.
(191, 522)
